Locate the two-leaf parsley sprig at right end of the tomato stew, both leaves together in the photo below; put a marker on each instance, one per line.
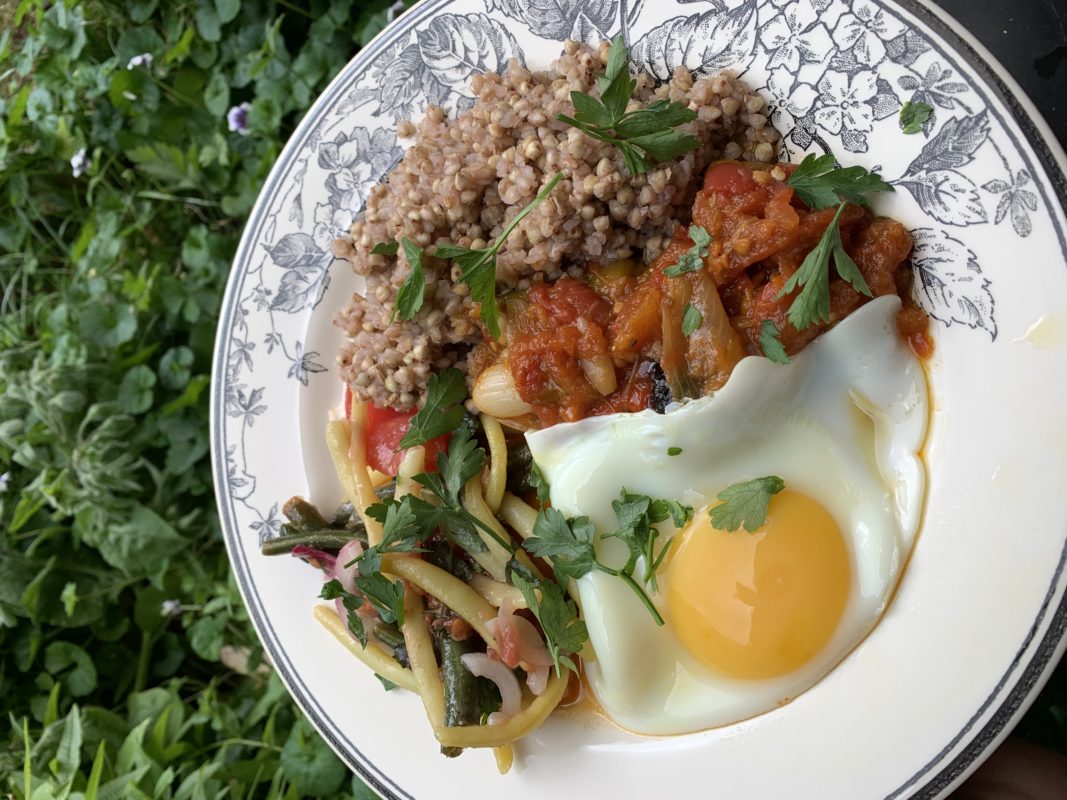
(821, 186)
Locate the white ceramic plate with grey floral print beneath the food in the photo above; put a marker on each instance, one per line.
(980, 617)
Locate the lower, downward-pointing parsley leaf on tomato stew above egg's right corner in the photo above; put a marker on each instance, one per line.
(814, 303)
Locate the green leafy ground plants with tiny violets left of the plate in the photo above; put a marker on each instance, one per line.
(129, 667)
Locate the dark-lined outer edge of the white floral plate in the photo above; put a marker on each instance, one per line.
(989, 85)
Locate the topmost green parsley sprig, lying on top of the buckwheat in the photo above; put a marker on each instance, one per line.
(644, 136)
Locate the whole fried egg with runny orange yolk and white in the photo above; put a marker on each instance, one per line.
(753, 619)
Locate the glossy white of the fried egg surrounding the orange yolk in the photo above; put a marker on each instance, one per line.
(843, 423)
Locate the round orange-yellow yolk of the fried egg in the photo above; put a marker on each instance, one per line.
(760, 605)
